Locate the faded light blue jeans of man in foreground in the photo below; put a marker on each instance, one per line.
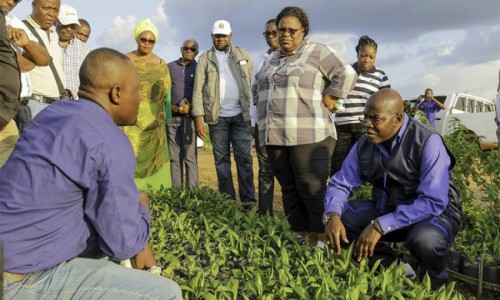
(82, 278)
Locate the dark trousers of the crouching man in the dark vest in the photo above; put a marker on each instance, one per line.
(429, 240)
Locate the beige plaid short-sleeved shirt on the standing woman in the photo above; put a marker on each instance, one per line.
(290, 91)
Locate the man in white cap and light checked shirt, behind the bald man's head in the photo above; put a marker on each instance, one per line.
(74, 50)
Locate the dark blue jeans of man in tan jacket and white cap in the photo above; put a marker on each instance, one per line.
(236, 132)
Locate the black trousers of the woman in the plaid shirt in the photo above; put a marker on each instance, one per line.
(303, 172)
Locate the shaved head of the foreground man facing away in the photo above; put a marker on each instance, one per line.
(110, 79)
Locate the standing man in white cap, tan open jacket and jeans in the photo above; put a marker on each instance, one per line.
(222, 96)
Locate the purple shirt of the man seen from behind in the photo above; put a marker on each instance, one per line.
(72, 170)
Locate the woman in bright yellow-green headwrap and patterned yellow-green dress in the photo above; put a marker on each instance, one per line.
(148, 135)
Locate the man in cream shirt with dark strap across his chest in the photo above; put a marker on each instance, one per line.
(49, 81)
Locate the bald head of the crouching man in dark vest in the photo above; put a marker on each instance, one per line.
(383, 116)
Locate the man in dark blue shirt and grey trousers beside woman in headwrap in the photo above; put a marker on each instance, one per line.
(181, 134)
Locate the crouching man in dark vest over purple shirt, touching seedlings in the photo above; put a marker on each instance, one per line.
(414, 200)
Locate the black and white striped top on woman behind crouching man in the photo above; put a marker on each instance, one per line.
(367, 84)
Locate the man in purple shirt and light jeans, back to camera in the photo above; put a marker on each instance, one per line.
(67, 196)
